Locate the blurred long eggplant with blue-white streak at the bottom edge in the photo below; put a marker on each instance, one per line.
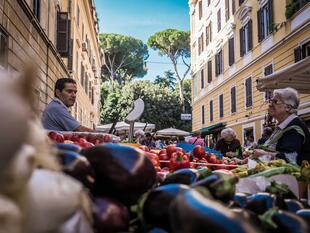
(192, 212)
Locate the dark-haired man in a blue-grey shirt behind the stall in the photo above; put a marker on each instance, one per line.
(56, 116)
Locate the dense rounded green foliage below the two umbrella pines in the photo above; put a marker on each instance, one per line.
(162, 106)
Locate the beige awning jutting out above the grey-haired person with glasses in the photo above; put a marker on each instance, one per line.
(296, 76)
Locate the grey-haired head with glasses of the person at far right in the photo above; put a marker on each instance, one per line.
(284, 103)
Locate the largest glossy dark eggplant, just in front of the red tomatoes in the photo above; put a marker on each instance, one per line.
(122, 172)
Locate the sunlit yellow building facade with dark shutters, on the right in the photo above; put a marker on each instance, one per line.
(234, 43)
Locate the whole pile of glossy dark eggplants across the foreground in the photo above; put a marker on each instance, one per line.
(129, 196)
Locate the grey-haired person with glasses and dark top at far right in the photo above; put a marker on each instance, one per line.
(290, 139)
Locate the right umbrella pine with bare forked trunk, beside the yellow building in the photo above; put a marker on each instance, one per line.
(174, 44)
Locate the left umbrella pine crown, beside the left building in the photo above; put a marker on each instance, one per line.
(124, 57)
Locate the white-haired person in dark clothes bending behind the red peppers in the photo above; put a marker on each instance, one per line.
(228, 145)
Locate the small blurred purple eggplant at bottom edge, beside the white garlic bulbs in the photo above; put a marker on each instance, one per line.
(110, 216)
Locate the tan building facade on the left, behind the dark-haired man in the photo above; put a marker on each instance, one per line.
(33, 31)
